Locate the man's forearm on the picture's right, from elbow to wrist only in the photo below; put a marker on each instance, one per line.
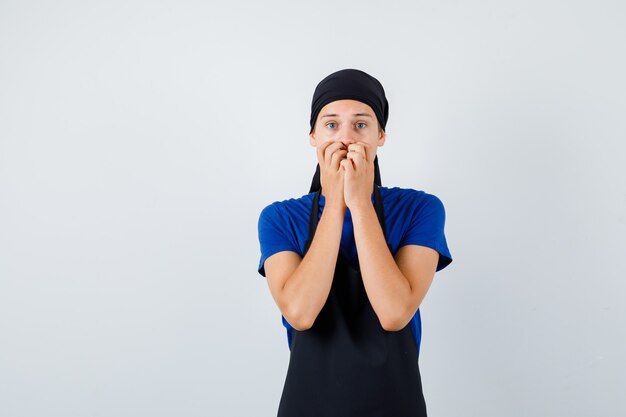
(387, 288)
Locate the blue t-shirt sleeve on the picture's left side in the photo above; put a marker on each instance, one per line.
(274, 236)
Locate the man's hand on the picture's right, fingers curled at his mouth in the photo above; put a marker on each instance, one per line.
(359, 175)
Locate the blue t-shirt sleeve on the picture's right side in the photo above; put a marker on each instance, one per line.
(426, 228)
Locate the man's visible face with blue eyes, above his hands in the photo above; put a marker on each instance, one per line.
(348, 121)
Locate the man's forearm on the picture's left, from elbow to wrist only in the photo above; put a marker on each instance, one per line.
(308, 287)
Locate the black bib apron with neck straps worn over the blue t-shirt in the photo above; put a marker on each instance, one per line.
(346, 364)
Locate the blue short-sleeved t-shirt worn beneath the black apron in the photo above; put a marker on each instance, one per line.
(411, 218)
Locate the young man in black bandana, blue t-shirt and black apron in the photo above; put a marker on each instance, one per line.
(349, 264)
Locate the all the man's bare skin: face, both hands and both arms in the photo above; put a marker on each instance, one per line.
(346, 136)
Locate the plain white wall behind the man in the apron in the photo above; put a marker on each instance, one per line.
(139, 141)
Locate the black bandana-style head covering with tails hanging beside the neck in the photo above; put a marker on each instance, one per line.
(350, 84)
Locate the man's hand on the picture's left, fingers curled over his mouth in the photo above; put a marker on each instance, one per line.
(329, 156)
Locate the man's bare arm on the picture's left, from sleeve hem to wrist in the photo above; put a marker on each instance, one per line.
(300, 286)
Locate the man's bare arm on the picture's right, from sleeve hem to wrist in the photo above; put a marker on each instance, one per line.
(395, 287)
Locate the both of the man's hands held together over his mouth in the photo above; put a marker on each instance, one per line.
(346, 174)
